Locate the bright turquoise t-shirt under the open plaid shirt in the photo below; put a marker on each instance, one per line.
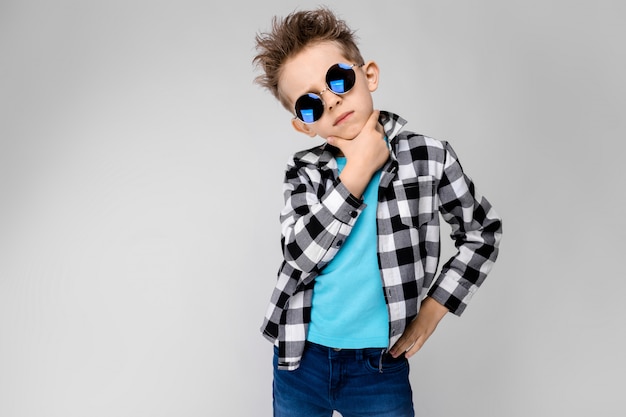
(349, 309)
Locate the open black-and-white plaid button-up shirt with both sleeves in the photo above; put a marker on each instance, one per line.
(421, 179)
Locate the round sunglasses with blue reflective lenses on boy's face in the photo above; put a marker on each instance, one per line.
(340, 79)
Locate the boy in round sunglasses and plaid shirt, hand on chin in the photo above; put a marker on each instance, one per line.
(356, 295)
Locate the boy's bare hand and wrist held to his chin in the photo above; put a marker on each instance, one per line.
(365, 154)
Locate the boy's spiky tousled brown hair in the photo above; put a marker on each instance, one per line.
(292, 34)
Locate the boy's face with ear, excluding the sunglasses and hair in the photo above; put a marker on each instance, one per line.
(344, 115)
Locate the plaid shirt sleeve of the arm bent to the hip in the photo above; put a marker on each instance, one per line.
(476, 231)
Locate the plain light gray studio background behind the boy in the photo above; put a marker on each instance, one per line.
(140, 184)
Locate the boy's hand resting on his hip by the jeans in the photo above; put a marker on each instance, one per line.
(420, 329)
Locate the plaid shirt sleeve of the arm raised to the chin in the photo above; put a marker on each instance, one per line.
(318, 215)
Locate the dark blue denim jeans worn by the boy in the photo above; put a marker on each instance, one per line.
(355, 382)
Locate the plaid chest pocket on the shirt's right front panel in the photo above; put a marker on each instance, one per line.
(416, 200)
